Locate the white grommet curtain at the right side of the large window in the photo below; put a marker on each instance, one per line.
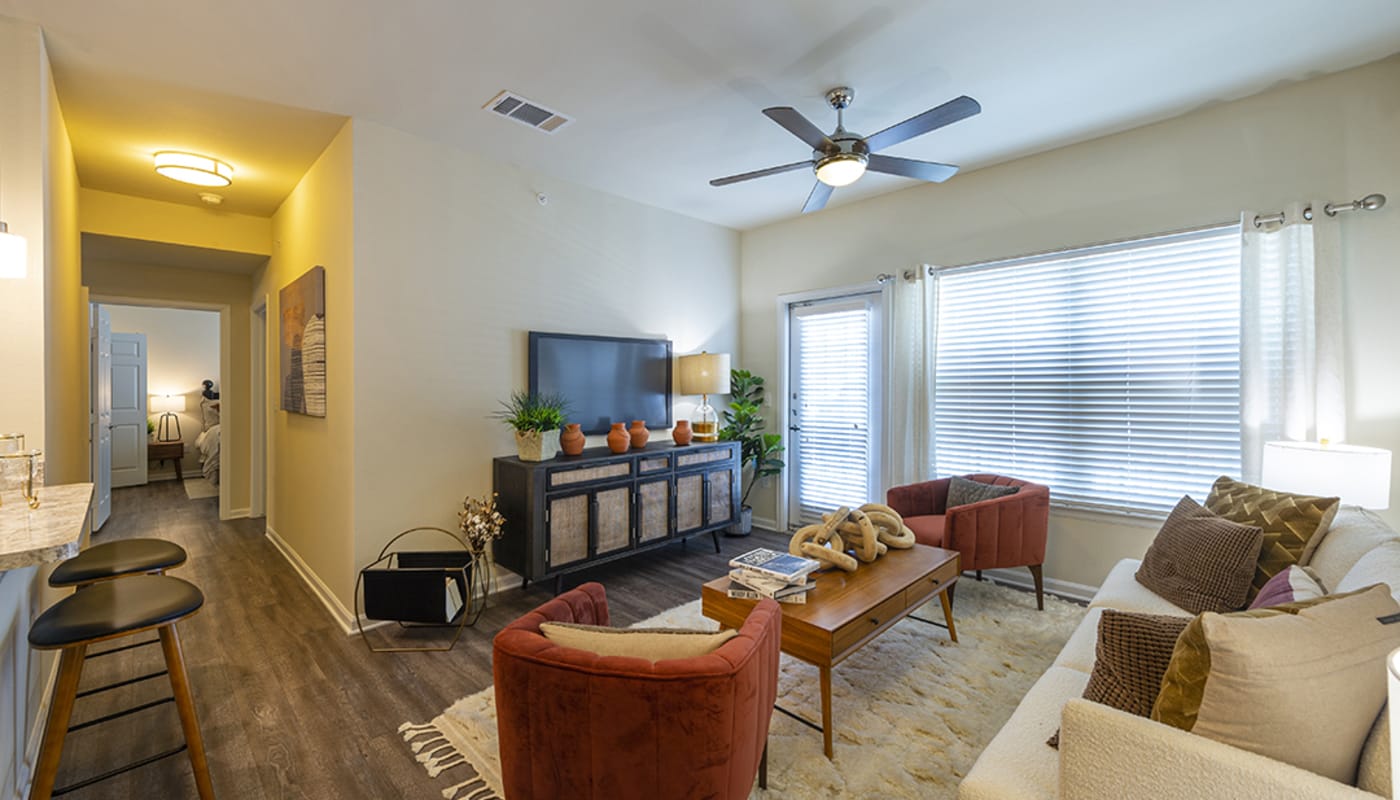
(1293, 358)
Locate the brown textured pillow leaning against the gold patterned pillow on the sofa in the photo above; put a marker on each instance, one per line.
(1200, 561)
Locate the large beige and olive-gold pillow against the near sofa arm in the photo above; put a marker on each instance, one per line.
(1300, 683)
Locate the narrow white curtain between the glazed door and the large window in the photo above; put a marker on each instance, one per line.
(911, 302)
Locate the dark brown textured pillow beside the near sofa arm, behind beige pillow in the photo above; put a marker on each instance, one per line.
(1130, 659)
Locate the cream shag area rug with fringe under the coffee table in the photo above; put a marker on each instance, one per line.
(912, 710)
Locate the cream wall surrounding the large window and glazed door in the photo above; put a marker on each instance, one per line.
(1332, 138)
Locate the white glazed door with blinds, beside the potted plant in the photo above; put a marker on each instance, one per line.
(835, 406)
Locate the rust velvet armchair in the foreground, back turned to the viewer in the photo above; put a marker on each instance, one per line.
(584, 726)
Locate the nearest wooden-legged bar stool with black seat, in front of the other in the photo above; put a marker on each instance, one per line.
(111, 610)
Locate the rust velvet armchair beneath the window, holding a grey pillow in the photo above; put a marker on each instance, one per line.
(990, 535)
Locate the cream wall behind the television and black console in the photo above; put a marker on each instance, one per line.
(453, 270)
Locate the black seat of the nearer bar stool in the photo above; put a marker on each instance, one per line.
(115, 607)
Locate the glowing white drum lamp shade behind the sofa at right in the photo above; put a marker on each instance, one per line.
(1359, 476)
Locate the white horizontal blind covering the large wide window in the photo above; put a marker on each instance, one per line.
(1108, 373)
